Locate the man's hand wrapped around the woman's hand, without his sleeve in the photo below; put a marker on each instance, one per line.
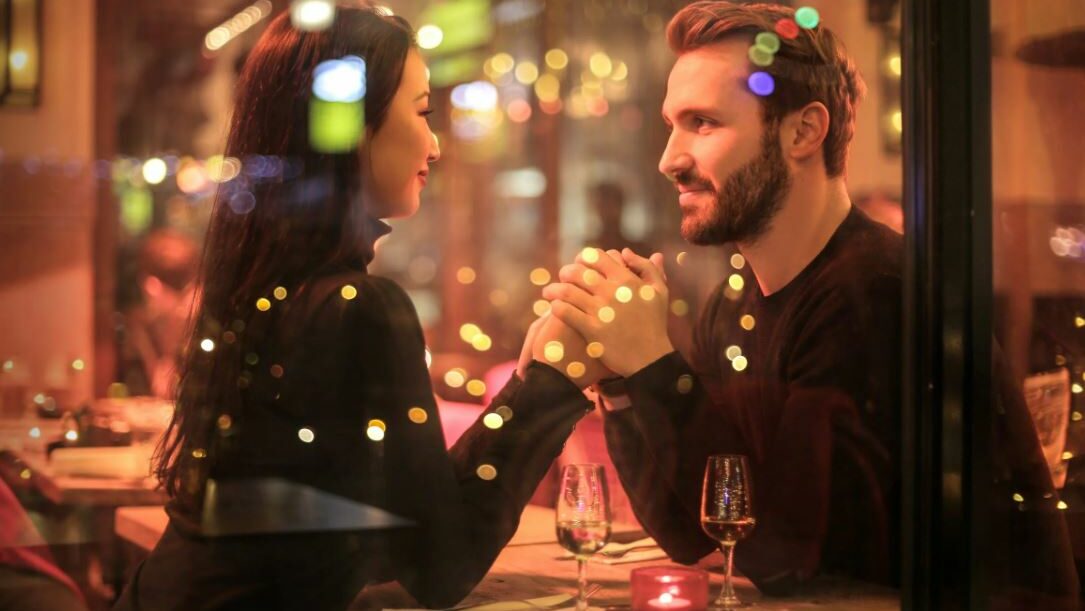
(621, 312)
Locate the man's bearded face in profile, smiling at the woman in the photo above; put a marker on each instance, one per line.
(730, 171)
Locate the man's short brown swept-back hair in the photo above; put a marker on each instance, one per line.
(812, 68)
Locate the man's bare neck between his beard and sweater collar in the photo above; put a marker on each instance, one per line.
(800, 231)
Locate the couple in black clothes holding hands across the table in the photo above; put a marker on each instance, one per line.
(800, 372)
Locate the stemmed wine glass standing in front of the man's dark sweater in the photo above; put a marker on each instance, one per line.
(727, 514)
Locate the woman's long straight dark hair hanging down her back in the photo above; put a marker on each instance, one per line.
(291, 212)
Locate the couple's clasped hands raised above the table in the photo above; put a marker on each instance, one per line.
(608, 317)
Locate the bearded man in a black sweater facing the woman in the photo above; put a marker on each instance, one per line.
(797, 358)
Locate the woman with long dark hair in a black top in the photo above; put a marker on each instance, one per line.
(304, 370)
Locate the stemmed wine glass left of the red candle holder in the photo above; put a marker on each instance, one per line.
(583, 518)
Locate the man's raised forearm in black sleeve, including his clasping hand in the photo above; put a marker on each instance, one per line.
(623, 312)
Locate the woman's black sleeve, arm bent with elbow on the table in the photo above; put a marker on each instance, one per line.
(466, 505)
